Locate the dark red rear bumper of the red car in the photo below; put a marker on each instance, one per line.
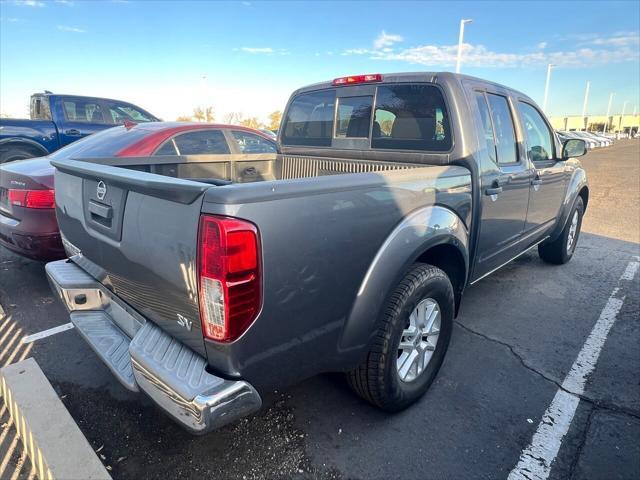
(39, 246)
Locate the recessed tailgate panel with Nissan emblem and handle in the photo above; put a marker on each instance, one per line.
(103, 206)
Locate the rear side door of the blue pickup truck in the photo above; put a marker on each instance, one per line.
(82, 117)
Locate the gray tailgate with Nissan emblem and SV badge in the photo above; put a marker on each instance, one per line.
(136, 233)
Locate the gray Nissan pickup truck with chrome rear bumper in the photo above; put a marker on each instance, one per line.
(205, 281)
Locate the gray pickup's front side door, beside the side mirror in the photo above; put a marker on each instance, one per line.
(549, 183)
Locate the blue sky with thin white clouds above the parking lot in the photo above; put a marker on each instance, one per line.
(253, 53)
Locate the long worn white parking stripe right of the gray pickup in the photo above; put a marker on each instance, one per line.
(536, 460)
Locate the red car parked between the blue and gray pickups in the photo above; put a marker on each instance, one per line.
(27, 204)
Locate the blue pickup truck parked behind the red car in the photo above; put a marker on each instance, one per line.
(57, 120)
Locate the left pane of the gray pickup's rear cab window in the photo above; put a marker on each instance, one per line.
(309, 119)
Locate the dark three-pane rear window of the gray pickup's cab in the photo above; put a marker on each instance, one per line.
(403, 117)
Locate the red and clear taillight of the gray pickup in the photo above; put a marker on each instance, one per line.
(229, 276)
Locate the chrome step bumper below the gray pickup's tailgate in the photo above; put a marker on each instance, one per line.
(145, 358)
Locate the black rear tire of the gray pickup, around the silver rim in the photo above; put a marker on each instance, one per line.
(377, 379)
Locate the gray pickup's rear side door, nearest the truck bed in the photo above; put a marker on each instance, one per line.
(505, 181)
